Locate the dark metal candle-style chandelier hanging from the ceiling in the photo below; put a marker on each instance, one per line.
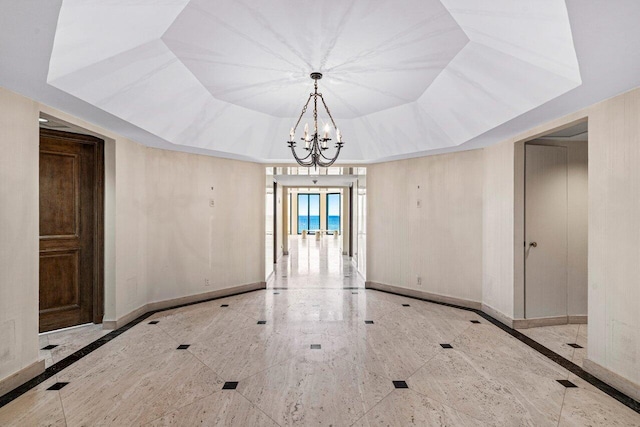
(313, 144)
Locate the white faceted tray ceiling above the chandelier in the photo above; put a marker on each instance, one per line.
(402, 78)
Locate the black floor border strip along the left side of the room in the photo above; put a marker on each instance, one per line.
(73, 358)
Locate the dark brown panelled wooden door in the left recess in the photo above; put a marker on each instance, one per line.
(70, 229)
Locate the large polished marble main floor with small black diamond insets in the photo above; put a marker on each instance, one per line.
(311, 350)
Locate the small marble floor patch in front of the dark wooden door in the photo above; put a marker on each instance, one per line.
(56, 345)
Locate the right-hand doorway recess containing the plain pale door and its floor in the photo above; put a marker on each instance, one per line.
(555, 228)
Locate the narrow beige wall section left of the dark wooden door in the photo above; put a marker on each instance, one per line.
(19, 232)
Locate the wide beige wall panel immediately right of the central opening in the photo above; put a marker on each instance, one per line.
(440, 241)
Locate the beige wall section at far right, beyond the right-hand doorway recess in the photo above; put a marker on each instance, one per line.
(614, 236)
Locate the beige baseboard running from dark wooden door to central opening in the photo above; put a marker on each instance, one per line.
(159, 305)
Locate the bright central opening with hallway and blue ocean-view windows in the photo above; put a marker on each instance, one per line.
(326, 205)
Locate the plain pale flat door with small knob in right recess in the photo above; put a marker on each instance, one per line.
(545, 231)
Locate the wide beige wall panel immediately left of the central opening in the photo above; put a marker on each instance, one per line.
(189, 241)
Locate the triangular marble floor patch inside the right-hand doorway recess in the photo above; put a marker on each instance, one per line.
(558, 337)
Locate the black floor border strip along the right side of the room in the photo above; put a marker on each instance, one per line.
(550, 354)
